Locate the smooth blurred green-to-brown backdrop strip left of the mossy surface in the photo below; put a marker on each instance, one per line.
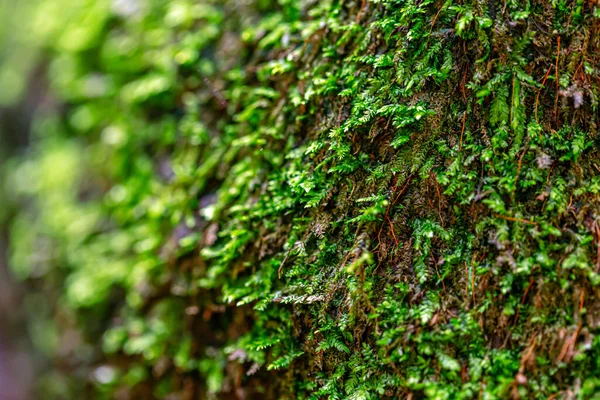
(22, 91)
